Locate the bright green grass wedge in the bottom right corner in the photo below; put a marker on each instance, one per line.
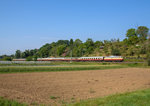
(137, 98)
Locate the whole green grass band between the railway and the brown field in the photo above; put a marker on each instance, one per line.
(65, 66)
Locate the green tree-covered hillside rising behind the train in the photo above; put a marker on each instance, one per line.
(135, 44)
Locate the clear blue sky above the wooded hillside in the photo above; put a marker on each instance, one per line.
(29, 24)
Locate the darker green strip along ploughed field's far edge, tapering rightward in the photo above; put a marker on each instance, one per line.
(14, 69)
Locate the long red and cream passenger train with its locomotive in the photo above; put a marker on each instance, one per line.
(97, 58)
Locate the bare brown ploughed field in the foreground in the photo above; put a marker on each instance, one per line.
(59, 87)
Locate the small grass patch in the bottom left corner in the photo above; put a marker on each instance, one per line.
(5, 102)
